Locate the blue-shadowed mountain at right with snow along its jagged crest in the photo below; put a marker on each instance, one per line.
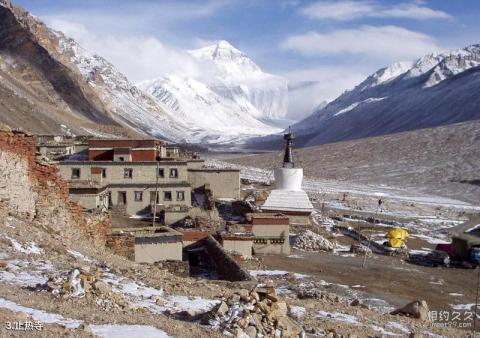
(435, 90)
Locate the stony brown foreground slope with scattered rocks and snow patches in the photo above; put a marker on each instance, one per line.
(90, 291)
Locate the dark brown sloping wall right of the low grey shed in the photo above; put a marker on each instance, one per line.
(227, 267)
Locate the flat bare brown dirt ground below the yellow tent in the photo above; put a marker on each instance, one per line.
(387, 278)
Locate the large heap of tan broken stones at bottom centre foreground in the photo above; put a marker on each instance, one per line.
(250, 314)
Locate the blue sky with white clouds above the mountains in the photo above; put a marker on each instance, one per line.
(333, 44)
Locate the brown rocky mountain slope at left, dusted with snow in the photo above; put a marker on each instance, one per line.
(50, 84)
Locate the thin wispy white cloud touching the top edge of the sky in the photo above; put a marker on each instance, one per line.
(350, 10)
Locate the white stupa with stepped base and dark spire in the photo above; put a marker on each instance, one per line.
(288, 196)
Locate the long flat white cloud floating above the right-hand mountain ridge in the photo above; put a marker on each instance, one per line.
(389, 43)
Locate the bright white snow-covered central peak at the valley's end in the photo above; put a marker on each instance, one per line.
(233, 98)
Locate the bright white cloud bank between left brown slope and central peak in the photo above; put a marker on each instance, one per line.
(138, 57)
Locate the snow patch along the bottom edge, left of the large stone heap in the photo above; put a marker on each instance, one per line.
(131, 331)
